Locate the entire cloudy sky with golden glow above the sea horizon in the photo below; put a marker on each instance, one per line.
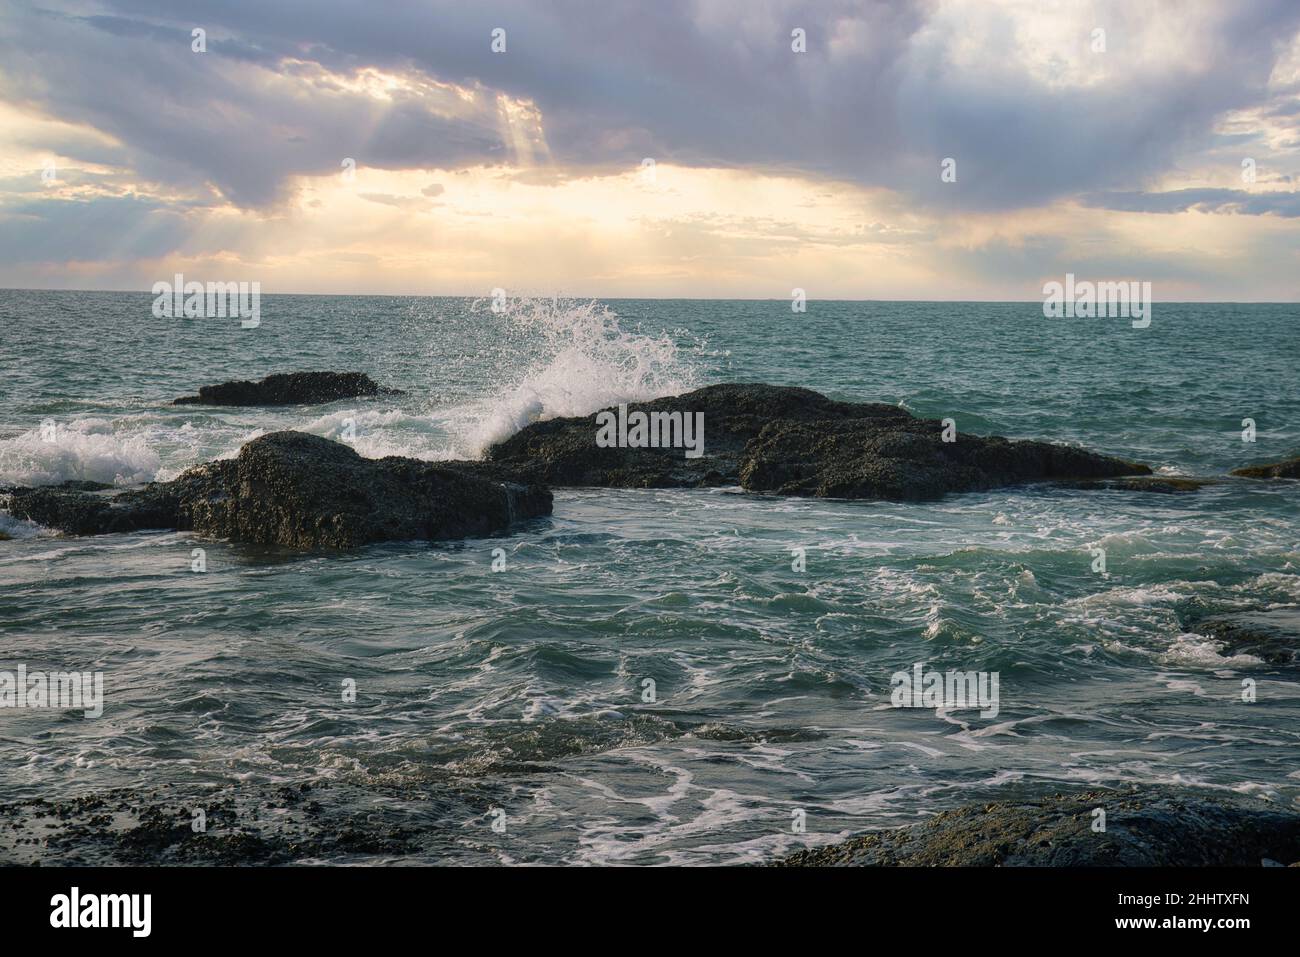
(700, 149)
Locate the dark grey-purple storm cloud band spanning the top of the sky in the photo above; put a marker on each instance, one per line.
(878, 99)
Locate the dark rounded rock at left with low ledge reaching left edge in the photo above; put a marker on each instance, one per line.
(301, 491)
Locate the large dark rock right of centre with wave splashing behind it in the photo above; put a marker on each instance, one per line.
(798, 443)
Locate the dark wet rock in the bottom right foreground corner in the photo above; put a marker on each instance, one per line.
(1146, 828)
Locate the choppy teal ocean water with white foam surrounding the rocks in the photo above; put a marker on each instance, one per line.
(521, 692)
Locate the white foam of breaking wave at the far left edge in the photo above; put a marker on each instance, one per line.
(85, 451)
